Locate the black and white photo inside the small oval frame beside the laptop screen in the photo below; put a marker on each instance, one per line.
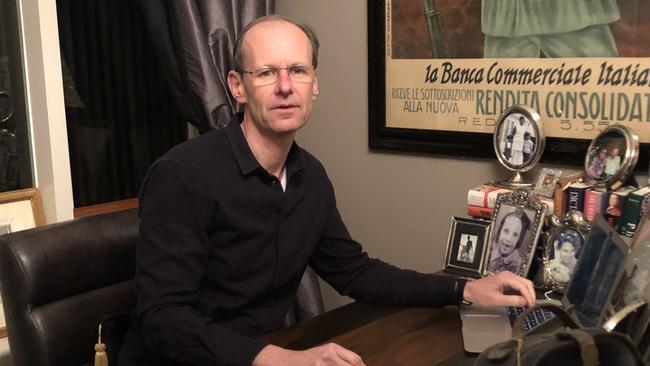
(566, 244)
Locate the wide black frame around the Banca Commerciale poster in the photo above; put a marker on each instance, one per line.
(439, 142)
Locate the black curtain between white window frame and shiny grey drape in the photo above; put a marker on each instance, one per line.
(120, 117)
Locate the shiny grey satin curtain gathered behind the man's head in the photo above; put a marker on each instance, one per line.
(194, 40)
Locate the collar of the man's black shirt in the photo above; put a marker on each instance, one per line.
(244, 156)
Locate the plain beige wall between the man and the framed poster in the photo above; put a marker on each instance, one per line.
(399, 206)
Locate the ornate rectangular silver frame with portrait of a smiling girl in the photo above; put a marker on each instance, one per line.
(516, 225)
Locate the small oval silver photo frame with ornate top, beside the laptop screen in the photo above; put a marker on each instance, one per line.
(562, 248)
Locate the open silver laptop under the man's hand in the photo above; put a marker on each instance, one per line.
(587, 296)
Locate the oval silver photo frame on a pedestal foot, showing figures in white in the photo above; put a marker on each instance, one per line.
(518, 142)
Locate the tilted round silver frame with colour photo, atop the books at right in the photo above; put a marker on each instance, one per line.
(611, 157)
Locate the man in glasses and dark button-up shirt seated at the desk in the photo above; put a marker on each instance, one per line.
(231, 219)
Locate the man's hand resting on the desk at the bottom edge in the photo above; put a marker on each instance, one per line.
(330, 354)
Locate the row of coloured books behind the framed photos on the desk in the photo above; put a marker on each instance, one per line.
(622, 208)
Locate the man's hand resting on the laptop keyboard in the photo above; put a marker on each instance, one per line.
(503, 288)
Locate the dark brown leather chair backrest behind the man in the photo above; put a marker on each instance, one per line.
(59, 281)
